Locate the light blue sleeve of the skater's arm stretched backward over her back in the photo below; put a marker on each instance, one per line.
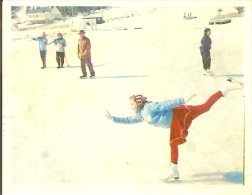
(165, 105)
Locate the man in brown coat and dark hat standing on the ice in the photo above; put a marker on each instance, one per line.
(84, 54)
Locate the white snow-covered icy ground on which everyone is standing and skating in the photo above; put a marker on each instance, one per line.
(57, 138)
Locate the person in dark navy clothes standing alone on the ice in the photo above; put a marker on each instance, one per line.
(205, 47)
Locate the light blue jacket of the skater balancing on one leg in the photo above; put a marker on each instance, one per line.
(154, 113)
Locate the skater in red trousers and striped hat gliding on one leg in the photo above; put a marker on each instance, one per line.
(173, 114)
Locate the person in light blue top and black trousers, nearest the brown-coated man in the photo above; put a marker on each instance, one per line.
(60, 51)
